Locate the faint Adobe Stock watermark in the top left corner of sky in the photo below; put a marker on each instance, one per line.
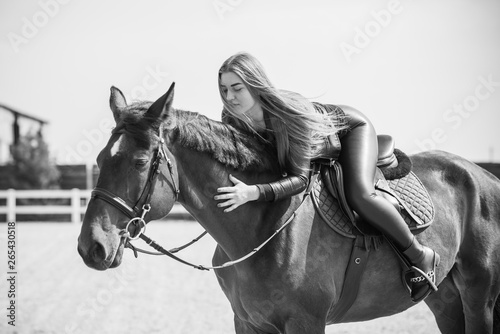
(31, 26)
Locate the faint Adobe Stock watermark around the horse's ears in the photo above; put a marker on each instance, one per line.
(97, 137)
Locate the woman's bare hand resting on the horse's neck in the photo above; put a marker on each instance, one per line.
(237, 195)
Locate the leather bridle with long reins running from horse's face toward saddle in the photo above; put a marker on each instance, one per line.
(137, 216)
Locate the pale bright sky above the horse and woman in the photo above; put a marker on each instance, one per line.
(425, 72)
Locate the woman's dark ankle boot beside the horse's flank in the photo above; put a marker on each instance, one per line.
(426, 260)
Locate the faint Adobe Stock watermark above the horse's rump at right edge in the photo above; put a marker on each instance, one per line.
(455, 116)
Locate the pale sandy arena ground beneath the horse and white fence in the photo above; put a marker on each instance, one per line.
(57, 293)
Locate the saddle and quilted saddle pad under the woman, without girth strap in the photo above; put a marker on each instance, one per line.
(393, 180)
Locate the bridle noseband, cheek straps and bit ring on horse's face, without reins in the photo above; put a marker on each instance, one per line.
(138, 211)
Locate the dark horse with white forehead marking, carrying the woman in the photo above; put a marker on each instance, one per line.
(292, 284)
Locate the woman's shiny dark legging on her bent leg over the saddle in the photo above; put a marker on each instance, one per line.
(358, 159)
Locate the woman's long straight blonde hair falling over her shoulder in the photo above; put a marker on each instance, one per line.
(300, 130)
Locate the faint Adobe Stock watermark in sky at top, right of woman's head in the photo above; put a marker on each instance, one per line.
(364, 36)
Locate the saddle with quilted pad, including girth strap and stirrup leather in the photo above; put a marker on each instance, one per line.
(393, 180)
